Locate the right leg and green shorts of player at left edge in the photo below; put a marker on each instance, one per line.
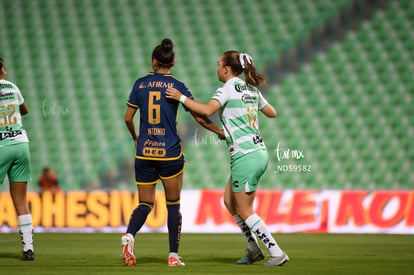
(19, 176)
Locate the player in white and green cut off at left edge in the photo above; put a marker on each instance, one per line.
(15, 156)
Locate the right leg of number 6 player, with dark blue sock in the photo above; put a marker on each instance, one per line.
(172, 180)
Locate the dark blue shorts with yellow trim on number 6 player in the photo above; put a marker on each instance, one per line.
(151, 171)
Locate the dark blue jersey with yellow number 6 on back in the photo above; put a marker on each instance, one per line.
(158, 138)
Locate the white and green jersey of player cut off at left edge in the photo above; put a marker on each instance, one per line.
(11, 127)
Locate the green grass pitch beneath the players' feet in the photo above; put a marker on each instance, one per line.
(73, 253)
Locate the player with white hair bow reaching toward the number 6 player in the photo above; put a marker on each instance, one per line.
(238, 102)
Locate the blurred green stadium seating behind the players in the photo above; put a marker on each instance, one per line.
(340, 76)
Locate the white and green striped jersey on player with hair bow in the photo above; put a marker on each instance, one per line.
(240, 105)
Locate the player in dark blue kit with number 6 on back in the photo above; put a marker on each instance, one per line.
(159, 154)
